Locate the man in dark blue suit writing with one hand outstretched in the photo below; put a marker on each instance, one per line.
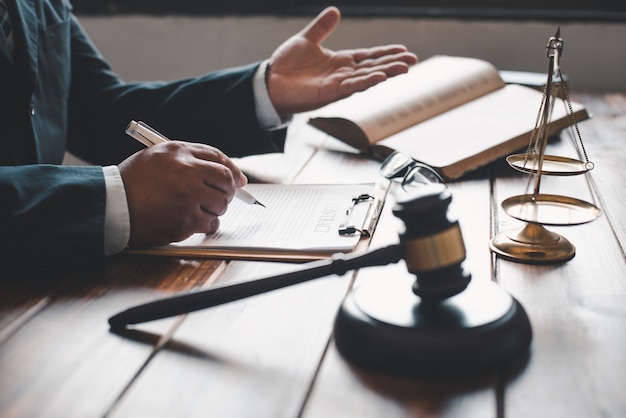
(58, 93)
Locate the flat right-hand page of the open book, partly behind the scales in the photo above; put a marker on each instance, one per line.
(477, 132)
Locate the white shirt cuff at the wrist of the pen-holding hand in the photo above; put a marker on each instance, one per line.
(116, 216)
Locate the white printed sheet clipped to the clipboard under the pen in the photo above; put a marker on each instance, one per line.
(297, 218)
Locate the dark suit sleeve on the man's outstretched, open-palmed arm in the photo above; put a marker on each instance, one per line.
(217, 109)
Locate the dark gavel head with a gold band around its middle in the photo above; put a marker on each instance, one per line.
(431, 242)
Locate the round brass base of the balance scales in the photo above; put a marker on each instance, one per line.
(533, 244)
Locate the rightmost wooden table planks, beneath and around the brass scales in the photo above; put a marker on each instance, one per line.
(576, 308)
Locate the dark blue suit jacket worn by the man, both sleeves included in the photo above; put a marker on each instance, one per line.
(58, 93)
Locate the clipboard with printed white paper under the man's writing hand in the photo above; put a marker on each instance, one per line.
(298, 223)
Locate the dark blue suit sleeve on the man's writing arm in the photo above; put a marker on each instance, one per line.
(52, 216)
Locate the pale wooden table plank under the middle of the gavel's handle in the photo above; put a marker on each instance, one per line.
(265, 349)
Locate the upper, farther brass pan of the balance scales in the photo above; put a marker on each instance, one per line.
(552, 165)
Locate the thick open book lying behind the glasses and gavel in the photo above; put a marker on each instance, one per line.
(452, 113)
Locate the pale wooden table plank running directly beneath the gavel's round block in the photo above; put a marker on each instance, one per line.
(341, 390)
